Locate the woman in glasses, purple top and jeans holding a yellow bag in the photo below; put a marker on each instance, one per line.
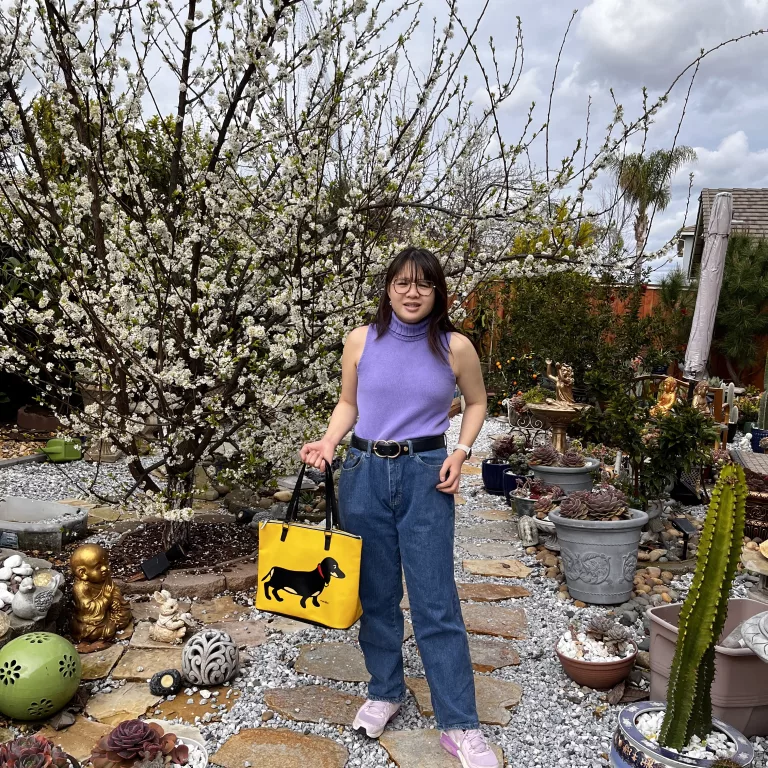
(396, 492)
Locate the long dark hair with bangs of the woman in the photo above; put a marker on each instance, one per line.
(414, 261)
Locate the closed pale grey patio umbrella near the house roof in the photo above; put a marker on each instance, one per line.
(710, 282)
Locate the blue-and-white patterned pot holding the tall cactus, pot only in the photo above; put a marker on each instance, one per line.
(630, 749)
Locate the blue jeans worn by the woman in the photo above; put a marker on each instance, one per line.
(407, 525)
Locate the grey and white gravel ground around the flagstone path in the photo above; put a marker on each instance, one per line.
(557, 723)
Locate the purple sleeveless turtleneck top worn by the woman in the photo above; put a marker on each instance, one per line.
(403, 390)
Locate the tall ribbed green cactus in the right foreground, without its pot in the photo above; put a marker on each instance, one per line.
(689, 706)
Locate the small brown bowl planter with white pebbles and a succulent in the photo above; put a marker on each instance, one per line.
(599, 657)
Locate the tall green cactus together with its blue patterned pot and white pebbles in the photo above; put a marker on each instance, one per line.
(682, 731)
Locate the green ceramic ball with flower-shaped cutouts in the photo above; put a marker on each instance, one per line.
(39, 674)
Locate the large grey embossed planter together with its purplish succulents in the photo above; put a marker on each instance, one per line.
(599, 535)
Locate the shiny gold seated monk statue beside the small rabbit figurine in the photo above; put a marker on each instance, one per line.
(100, 610)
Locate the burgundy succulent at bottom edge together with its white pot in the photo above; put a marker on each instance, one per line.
(137, 744)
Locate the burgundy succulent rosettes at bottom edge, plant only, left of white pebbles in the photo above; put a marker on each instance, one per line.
(134, 742)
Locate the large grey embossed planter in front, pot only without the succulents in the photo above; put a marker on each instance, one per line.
(600, 557)
